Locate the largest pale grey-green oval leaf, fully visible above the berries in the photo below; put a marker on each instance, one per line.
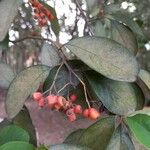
(106, 57)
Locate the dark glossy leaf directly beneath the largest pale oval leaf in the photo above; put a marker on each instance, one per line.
(121, 98)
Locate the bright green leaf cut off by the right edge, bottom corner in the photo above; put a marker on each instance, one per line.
(140, 127)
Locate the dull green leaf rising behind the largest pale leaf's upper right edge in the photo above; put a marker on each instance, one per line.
(123, 35)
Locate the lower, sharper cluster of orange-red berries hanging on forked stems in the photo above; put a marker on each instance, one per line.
(71, 110)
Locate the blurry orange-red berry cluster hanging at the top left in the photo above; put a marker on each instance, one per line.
(41, 13)
